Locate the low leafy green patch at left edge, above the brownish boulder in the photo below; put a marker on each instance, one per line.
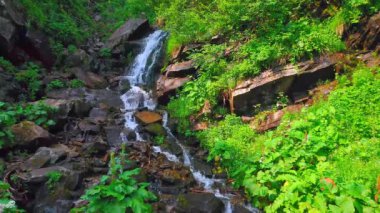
(12, 114)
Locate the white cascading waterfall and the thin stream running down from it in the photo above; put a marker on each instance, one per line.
(140, 96)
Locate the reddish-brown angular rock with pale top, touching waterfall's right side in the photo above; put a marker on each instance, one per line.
(167, 87)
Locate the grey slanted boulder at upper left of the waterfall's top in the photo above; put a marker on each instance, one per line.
(132, 29)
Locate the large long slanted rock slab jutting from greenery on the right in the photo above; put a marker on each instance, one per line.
(289, 79)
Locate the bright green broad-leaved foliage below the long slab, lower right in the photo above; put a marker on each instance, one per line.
(324, 159)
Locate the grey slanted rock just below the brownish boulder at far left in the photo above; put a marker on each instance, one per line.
(45, 156)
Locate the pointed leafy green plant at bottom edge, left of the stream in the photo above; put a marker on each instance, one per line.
(119, 191)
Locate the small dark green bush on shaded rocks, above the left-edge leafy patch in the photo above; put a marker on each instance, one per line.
(30, 79)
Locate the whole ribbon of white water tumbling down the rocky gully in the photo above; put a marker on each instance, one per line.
(140, 76)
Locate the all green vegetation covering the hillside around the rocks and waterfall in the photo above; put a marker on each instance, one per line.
(325, 158)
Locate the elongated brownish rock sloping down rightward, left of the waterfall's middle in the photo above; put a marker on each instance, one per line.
(90, 79)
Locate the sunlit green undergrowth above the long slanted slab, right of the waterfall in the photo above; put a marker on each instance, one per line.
(262, 34)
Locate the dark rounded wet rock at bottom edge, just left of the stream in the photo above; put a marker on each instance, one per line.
(203, 203)
